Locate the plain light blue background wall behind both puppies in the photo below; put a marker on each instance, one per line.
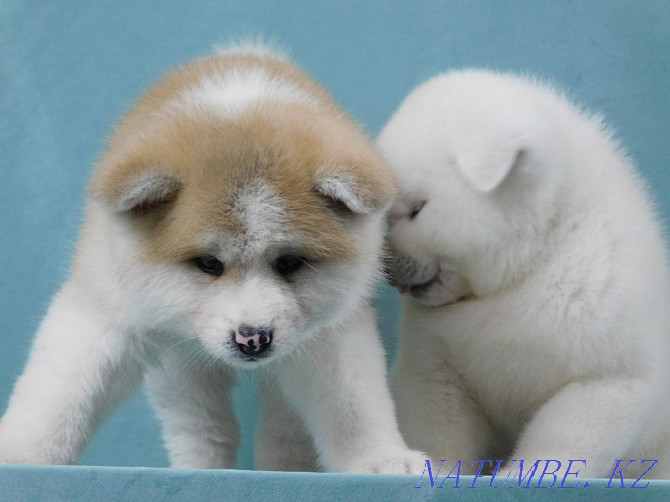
(69, 70)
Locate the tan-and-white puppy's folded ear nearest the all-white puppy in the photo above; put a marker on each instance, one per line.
(357, 191)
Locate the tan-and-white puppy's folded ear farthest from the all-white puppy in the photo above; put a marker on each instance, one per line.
(134, 188)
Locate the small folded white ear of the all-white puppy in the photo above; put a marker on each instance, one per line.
(486, 172)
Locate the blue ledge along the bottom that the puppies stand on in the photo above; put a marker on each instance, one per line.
(75, 484)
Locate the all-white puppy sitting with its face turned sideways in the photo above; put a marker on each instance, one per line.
(536, 322)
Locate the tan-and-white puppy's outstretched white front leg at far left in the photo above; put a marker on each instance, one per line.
(79, 368)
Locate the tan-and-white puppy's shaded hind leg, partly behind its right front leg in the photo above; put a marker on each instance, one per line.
(282, 442)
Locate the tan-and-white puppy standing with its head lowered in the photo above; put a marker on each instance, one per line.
(235, 221)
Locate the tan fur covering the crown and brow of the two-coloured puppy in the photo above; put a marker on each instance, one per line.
(212, 159)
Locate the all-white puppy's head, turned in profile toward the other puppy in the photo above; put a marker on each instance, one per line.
(478, 156)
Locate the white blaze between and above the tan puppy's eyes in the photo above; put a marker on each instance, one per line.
(263, 214)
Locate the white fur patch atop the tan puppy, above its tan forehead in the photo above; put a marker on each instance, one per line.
(234, 91)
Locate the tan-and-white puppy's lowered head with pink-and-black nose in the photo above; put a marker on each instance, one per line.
(253, 220)
